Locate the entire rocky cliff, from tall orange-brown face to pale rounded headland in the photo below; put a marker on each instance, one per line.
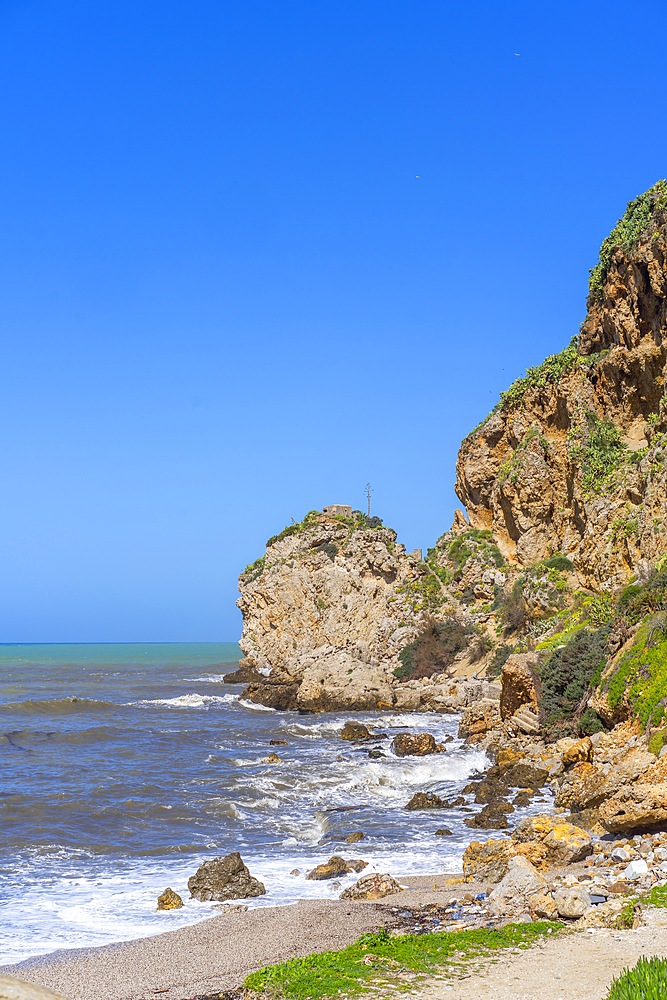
(563, 558)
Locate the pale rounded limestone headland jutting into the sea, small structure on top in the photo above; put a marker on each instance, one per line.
(326, 612)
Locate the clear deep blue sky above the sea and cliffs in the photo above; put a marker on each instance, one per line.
(256, 254)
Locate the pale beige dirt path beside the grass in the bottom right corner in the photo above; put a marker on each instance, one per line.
(577, 966)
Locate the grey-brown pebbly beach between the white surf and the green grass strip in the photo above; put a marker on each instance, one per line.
(218, 953)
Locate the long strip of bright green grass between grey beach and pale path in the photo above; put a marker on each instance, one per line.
(380, 958)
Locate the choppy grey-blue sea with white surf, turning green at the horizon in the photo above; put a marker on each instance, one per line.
(124, 766)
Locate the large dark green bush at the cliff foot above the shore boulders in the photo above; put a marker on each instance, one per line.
(570, 672)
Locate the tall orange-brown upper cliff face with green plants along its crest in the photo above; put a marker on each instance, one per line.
(574, 458)
